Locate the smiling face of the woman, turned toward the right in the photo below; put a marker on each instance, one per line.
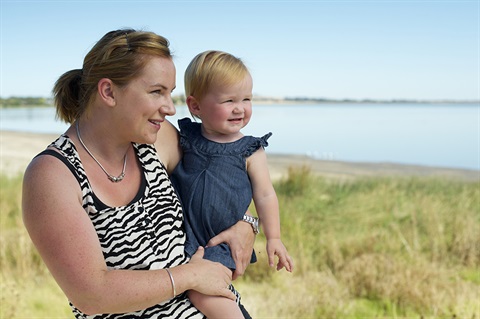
(147, 100)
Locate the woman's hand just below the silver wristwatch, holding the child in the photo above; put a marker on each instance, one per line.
(240, 239)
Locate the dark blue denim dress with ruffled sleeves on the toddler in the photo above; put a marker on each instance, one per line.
(214, 187)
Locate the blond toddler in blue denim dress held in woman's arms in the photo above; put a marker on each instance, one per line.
(222, 170)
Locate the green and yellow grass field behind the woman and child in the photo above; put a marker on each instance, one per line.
(367, 248)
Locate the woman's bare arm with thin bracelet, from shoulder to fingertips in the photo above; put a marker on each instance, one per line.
(67, 242)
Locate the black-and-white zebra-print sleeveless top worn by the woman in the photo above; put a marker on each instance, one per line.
(145, 234)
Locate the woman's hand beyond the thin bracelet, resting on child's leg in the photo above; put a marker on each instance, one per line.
(212, 278)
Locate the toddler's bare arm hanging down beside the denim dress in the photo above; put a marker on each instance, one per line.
(266, 203)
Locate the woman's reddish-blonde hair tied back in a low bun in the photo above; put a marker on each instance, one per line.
(119, 56)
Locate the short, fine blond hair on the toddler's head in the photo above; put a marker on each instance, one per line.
(212, 68)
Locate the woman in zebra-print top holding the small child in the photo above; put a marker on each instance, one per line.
(98, 204)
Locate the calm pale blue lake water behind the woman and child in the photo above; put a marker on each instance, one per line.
(445, 135)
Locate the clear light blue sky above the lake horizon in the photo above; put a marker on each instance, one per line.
(404, 49)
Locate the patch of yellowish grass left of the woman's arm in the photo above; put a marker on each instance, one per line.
(27, 289)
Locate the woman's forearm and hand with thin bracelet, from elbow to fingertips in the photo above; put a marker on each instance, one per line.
(121, 291)
